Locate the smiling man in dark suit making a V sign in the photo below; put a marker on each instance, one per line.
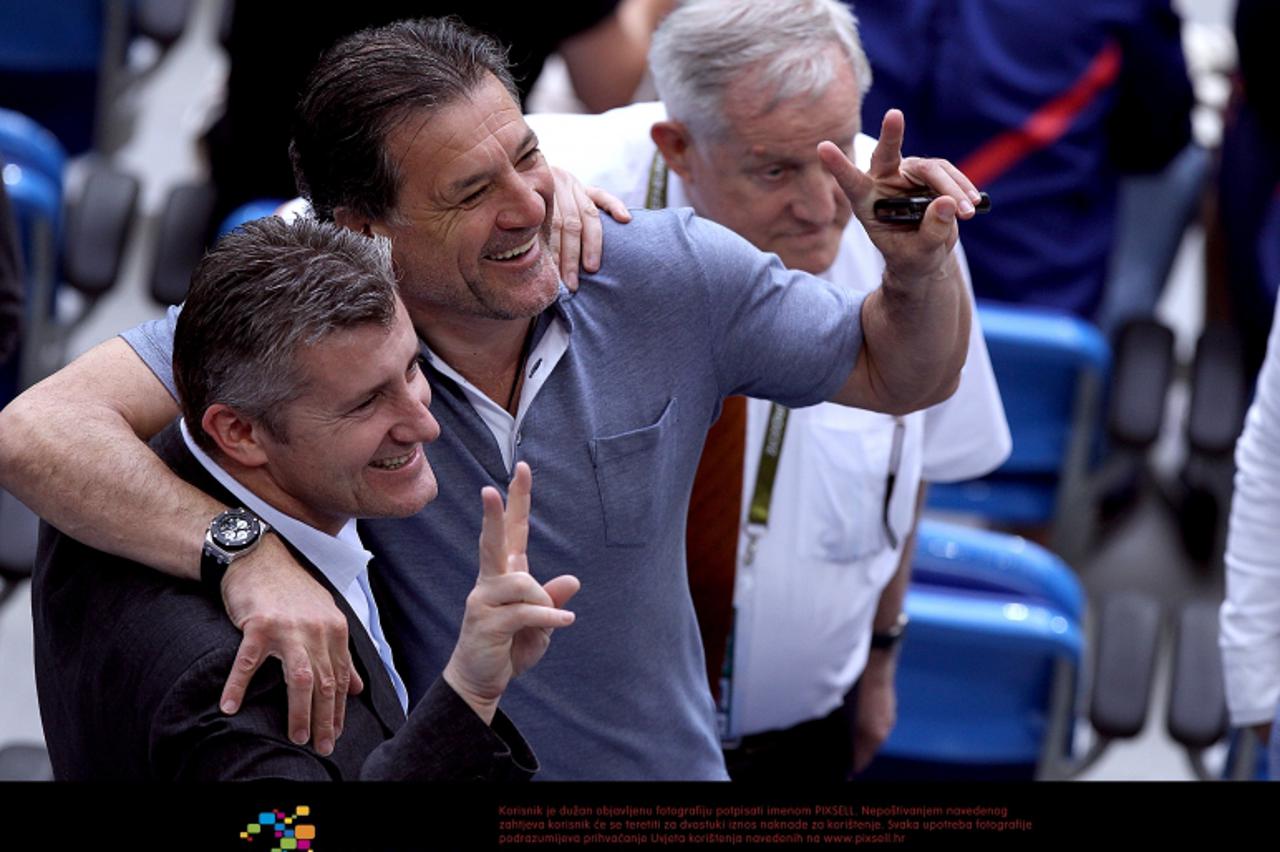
(303, 404)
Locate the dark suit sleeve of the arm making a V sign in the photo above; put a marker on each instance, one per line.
(444, 739)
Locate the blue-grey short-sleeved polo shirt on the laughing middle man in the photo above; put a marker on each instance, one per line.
(682, 314)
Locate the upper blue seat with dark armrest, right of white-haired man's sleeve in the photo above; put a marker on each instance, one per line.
(1072, 406)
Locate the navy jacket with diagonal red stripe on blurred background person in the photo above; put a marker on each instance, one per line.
(1046, 111)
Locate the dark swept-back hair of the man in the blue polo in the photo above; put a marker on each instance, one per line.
(363, 89)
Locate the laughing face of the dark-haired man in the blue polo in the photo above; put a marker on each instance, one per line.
(472, 225)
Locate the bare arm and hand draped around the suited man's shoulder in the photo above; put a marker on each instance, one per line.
(72, 450)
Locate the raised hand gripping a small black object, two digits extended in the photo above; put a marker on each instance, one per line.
(908, 253)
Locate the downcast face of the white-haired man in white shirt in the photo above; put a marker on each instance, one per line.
(764, 180)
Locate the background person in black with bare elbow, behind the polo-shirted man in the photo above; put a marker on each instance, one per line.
(272, 48)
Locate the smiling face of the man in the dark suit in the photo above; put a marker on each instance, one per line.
(354, 439)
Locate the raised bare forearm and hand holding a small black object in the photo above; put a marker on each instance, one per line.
(916, 326)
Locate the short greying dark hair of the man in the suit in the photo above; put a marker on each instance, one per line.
(266, 291)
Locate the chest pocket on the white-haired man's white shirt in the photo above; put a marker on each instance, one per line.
(847, 470)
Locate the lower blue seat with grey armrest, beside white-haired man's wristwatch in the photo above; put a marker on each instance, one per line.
(991, 662)
